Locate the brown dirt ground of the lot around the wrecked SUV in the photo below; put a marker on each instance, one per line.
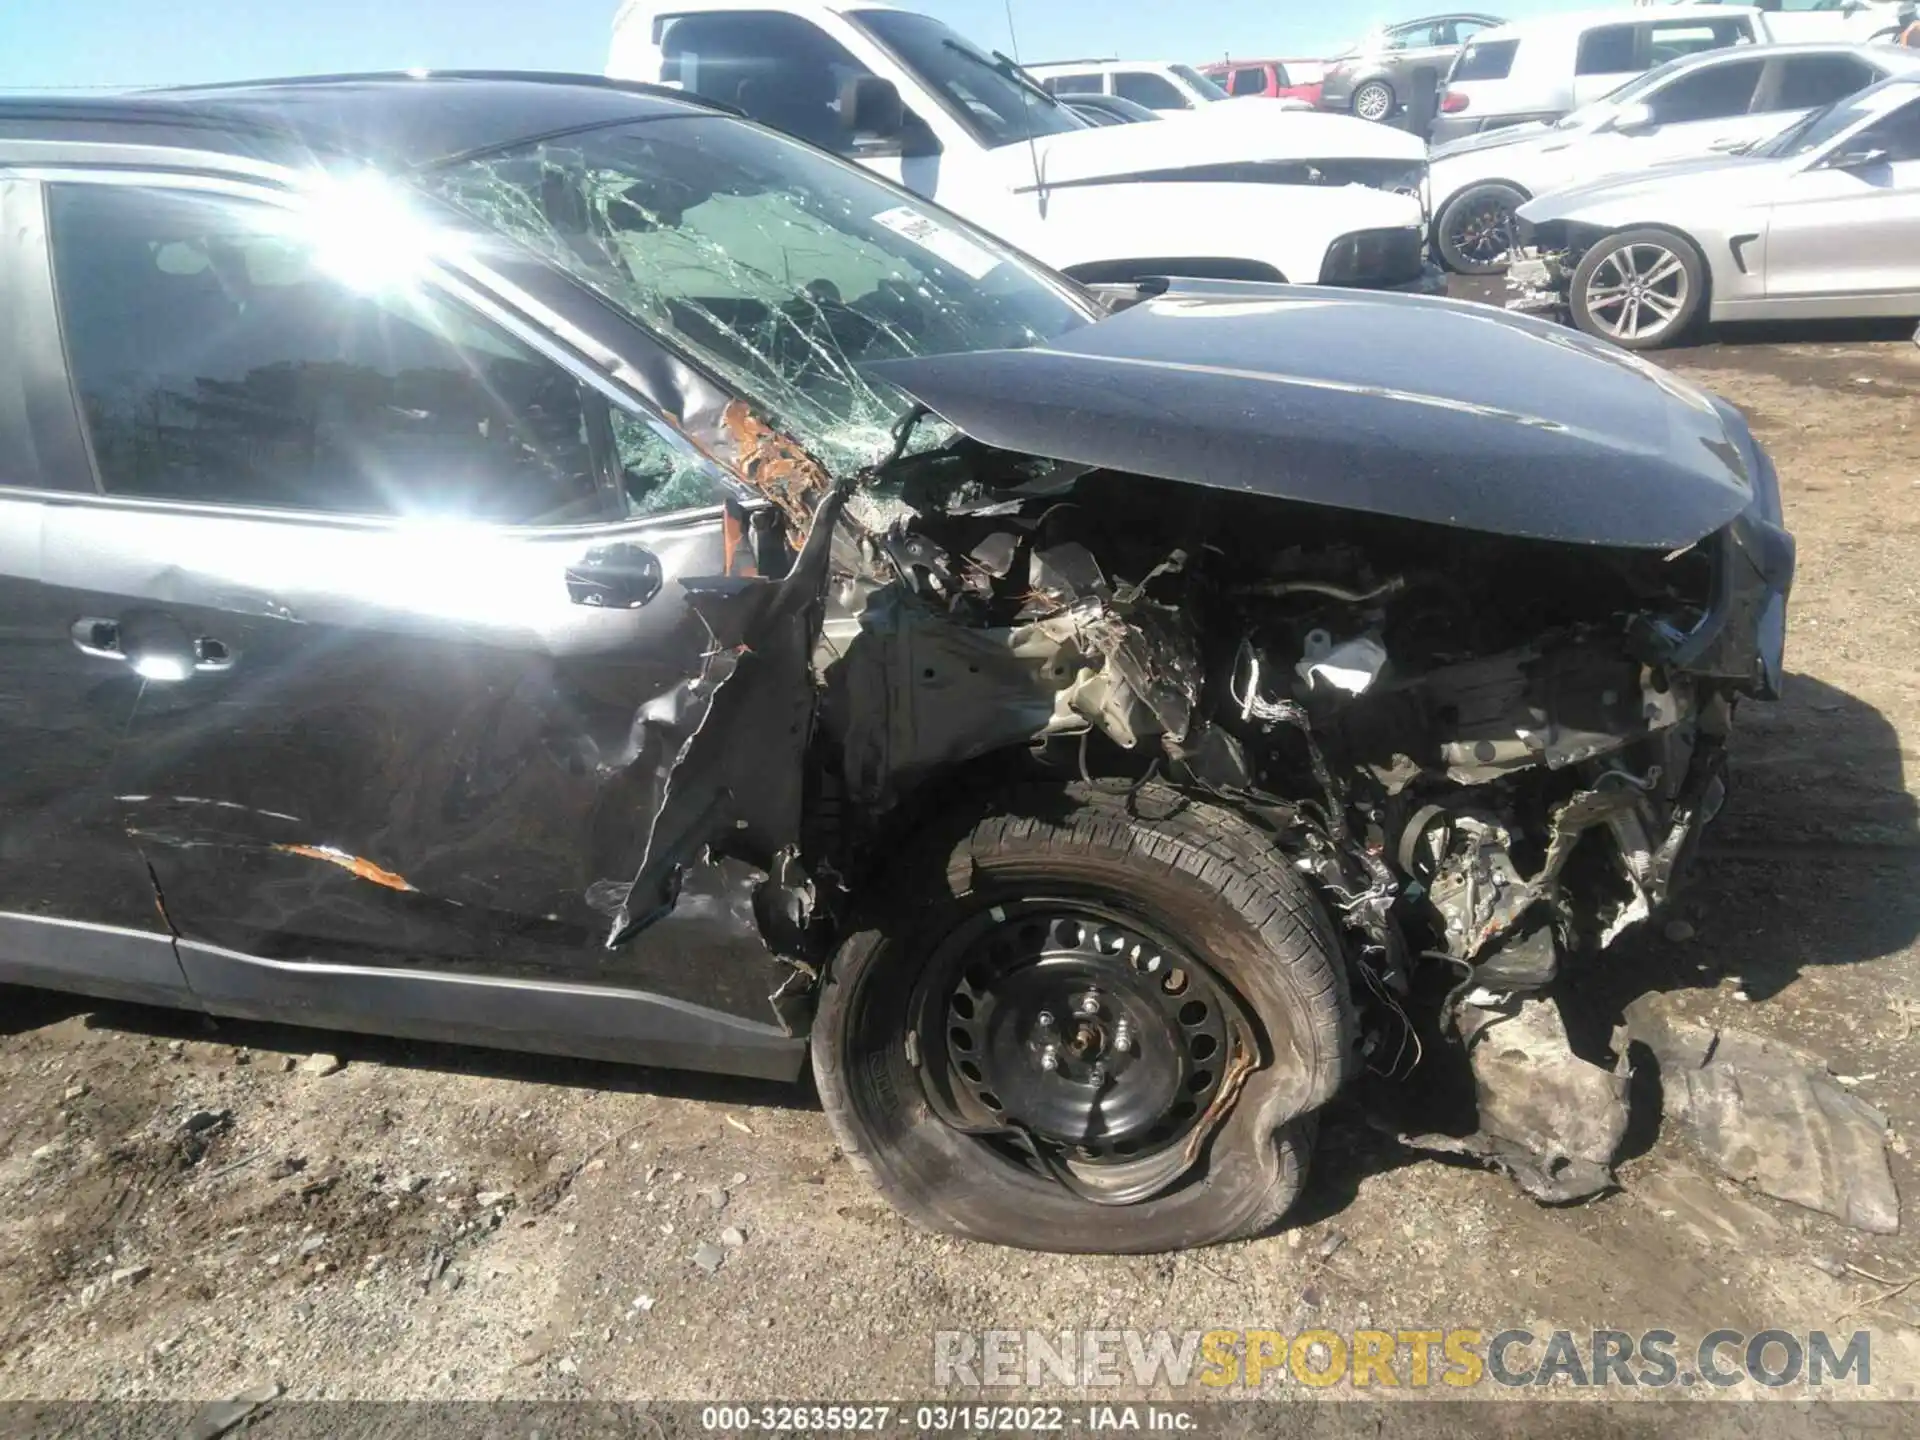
(187, 1212)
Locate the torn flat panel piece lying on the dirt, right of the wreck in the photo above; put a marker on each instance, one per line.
(1773, 1116)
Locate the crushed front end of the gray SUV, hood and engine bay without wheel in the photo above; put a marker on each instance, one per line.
(1470, 667)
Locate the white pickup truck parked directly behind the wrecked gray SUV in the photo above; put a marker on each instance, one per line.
(1278, 197)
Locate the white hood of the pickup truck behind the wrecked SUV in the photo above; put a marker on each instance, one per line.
(1124, 151)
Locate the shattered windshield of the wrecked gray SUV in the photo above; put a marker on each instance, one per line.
(779, 268)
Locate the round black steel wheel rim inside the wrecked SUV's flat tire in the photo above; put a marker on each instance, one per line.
(1086, 1034)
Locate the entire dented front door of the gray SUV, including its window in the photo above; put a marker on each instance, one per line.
(402, 606)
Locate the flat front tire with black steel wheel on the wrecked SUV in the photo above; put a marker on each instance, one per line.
(1036, 1032)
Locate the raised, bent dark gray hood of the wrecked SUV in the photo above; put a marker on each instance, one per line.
(1426, 410)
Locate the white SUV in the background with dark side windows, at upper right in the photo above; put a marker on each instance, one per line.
(1539, 70)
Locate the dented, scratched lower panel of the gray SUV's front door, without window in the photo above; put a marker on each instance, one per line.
(412, 750)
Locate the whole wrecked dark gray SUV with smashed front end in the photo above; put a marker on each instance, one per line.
(558, 565)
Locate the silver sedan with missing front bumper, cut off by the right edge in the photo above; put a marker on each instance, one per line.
(1819, 222)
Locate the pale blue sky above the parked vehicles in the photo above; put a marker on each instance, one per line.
(120, 43)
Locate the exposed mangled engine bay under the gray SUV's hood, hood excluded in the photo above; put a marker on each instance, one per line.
(1472, 744)
